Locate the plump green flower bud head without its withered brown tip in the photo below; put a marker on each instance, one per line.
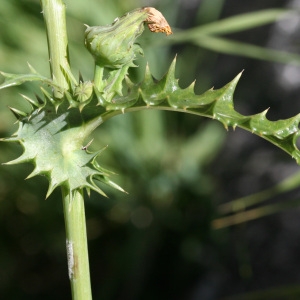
(112, 46)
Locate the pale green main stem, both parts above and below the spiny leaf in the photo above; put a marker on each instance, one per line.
(78, 262)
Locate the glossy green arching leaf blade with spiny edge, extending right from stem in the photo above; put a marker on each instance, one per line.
(166, 94)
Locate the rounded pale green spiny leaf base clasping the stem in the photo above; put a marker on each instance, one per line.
(52, 139)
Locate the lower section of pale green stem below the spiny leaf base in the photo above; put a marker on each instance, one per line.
(77, 249)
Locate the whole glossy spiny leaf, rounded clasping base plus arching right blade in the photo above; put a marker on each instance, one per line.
(54, 134)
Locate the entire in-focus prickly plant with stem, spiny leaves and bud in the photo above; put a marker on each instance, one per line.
(56, 133)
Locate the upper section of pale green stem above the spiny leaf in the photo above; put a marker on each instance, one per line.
(55, 20)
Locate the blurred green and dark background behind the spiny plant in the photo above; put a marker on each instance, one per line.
(161, 241)
